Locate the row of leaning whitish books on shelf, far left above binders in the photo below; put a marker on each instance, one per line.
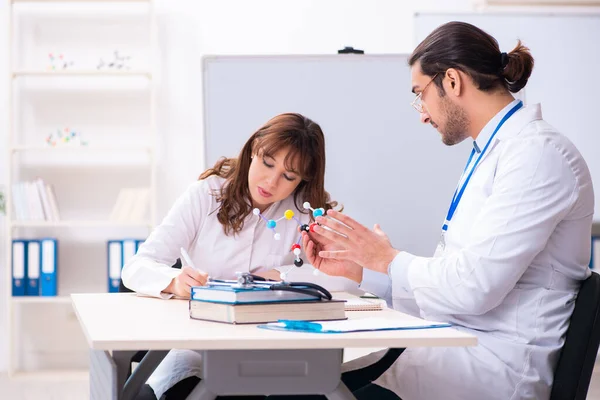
(35, 201)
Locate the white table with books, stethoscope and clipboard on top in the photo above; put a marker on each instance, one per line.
(238, 359)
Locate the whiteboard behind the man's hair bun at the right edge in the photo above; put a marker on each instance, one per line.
(565, 80)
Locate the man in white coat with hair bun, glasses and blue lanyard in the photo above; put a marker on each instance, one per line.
(513, 249)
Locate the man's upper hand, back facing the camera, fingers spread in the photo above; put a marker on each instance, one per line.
(354, 242)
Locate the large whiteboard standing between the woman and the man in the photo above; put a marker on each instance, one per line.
(383, 165)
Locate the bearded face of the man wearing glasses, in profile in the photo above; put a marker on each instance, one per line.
(439, 109)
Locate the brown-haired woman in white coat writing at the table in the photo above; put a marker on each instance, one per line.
(279, 168)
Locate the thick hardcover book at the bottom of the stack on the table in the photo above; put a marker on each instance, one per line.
(254, 313)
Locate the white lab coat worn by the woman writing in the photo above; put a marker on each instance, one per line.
(192, 224)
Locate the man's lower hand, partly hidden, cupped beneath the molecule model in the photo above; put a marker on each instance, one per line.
(314, 243)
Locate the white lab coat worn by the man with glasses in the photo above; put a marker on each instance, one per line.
(516, 252)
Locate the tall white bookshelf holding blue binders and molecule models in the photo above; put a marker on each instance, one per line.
(113, 102)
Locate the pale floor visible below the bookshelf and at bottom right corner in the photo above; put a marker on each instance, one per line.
(20, 390)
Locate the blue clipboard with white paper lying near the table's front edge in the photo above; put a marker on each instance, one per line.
(354, 325)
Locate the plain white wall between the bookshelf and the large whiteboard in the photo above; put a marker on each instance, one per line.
(189, 29)
